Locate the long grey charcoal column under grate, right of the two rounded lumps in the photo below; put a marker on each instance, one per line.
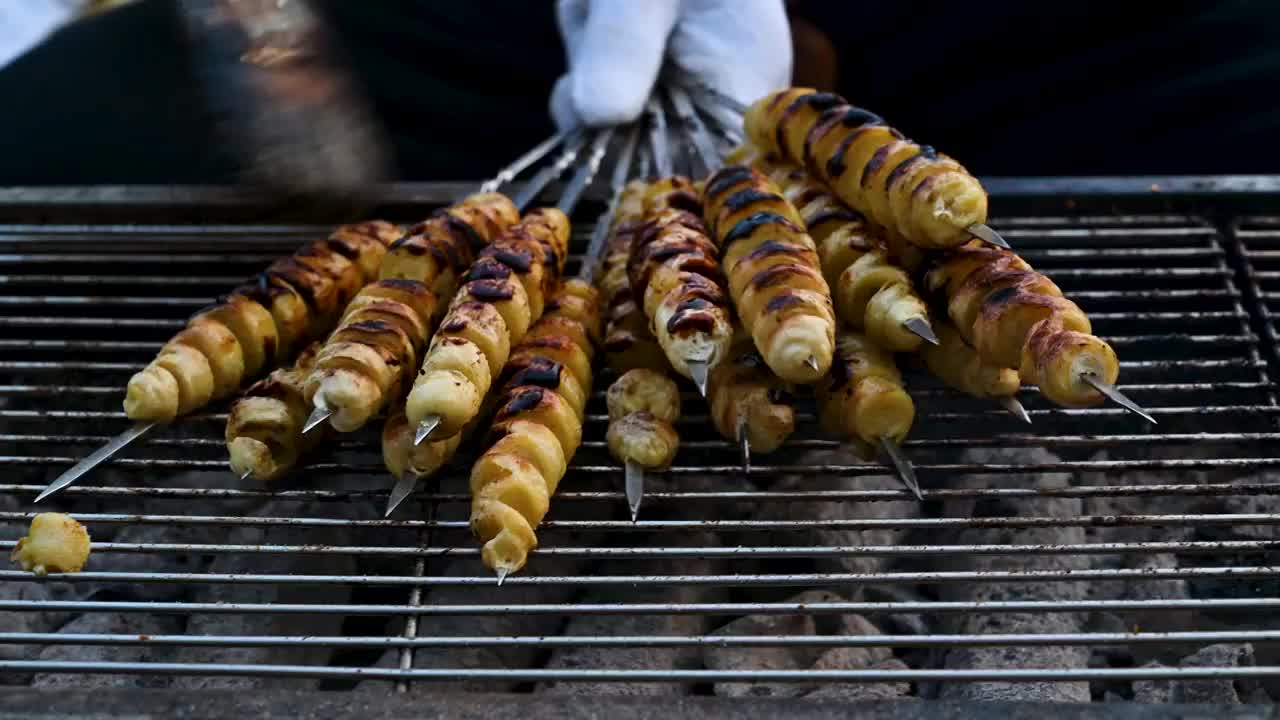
(1018, 657)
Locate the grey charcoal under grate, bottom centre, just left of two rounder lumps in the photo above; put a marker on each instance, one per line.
(662, 625)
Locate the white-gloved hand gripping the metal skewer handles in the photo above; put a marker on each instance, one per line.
(616, 48)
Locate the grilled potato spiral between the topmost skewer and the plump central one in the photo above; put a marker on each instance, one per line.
(872, 291)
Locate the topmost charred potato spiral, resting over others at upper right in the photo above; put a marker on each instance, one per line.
(911, 190)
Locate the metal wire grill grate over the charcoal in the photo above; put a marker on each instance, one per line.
(1077, 552)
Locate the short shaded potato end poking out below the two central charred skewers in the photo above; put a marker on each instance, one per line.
(746, 395)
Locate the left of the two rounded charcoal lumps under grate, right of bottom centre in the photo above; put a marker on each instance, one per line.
(769, 658)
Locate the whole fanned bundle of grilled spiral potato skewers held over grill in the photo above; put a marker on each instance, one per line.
(810, 248)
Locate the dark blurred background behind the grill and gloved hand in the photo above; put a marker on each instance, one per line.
(1031, 89)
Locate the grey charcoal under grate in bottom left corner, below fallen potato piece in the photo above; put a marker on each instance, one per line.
(118, 625)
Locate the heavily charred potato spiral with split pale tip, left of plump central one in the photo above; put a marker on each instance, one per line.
(676, 279)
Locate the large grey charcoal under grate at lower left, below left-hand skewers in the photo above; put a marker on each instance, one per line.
(266, 623)
